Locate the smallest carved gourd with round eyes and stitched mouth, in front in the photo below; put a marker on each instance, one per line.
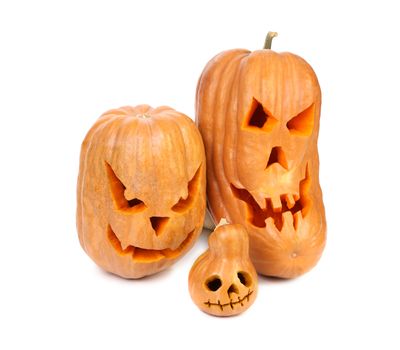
(223, 281)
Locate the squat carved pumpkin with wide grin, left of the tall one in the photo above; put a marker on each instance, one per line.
(141, 189)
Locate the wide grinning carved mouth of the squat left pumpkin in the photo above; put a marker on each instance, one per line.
(147, 255)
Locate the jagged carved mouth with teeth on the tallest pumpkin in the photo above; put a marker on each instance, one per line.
(294, 204)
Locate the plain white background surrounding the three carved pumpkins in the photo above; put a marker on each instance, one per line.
(62, 64)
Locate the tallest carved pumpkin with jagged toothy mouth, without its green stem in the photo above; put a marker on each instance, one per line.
(258, 113)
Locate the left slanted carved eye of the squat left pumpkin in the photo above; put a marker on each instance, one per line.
(117, 189)
